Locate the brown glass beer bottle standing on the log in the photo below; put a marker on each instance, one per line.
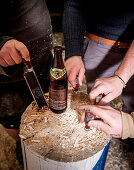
(58, 83)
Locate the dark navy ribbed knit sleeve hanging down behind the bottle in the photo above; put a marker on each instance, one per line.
(74, 27)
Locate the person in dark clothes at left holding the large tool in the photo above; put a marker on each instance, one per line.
(25, 27)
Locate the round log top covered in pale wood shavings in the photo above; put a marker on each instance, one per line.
(61, 137)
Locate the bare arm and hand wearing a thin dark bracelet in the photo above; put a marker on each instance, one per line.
(112, 86)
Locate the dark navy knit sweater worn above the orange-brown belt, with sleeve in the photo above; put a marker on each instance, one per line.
(103, 19)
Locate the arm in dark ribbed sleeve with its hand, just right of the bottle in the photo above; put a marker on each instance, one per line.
(74, 30)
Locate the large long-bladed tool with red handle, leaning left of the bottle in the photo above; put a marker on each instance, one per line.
(33, 83)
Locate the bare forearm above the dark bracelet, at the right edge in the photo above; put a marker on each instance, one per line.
(126, 69)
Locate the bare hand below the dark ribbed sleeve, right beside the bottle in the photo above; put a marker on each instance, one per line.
(75, 67)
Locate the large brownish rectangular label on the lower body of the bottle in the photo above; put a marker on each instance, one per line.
(57, 99)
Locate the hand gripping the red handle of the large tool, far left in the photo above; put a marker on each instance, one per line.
(9, 53)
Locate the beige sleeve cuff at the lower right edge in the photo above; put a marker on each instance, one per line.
(128, 125)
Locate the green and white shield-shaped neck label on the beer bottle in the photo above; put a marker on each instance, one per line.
(57, 73)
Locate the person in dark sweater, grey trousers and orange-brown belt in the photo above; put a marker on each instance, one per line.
(108, 32)
